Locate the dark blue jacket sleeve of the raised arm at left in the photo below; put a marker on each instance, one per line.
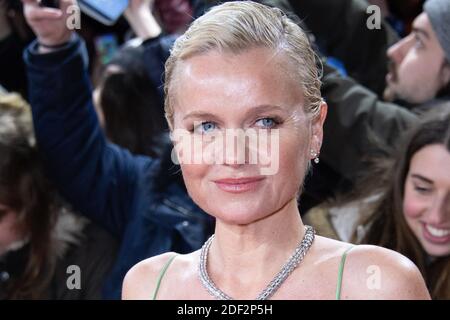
(98, 178)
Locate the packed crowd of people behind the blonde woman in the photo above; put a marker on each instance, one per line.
(86, 171)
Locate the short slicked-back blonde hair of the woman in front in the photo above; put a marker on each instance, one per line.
(235, 27)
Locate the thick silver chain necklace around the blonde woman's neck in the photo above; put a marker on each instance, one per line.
(273, 286)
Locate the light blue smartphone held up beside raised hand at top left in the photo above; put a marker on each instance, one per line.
(104, 11)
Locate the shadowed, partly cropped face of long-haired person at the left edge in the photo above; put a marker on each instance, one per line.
(9, 233)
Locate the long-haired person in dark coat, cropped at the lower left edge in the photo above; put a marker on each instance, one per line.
(41, 240)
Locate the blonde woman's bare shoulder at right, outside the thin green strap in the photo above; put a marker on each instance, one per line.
(373, 272)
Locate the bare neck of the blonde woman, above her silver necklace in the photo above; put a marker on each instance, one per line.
(244, 259)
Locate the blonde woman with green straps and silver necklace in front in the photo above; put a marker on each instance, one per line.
(244, 66)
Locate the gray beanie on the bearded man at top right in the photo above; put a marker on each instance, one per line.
(438, 12)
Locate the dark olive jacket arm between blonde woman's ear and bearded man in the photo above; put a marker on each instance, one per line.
(355, 118)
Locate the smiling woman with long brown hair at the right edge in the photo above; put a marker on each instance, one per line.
(404, 203)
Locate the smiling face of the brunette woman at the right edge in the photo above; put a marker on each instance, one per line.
(426, 204)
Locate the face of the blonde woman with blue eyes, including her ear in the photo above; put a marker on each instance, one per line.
(214, 96)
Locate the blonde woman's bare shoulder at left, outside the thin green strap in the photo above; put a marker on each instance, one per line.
(141, 280)
